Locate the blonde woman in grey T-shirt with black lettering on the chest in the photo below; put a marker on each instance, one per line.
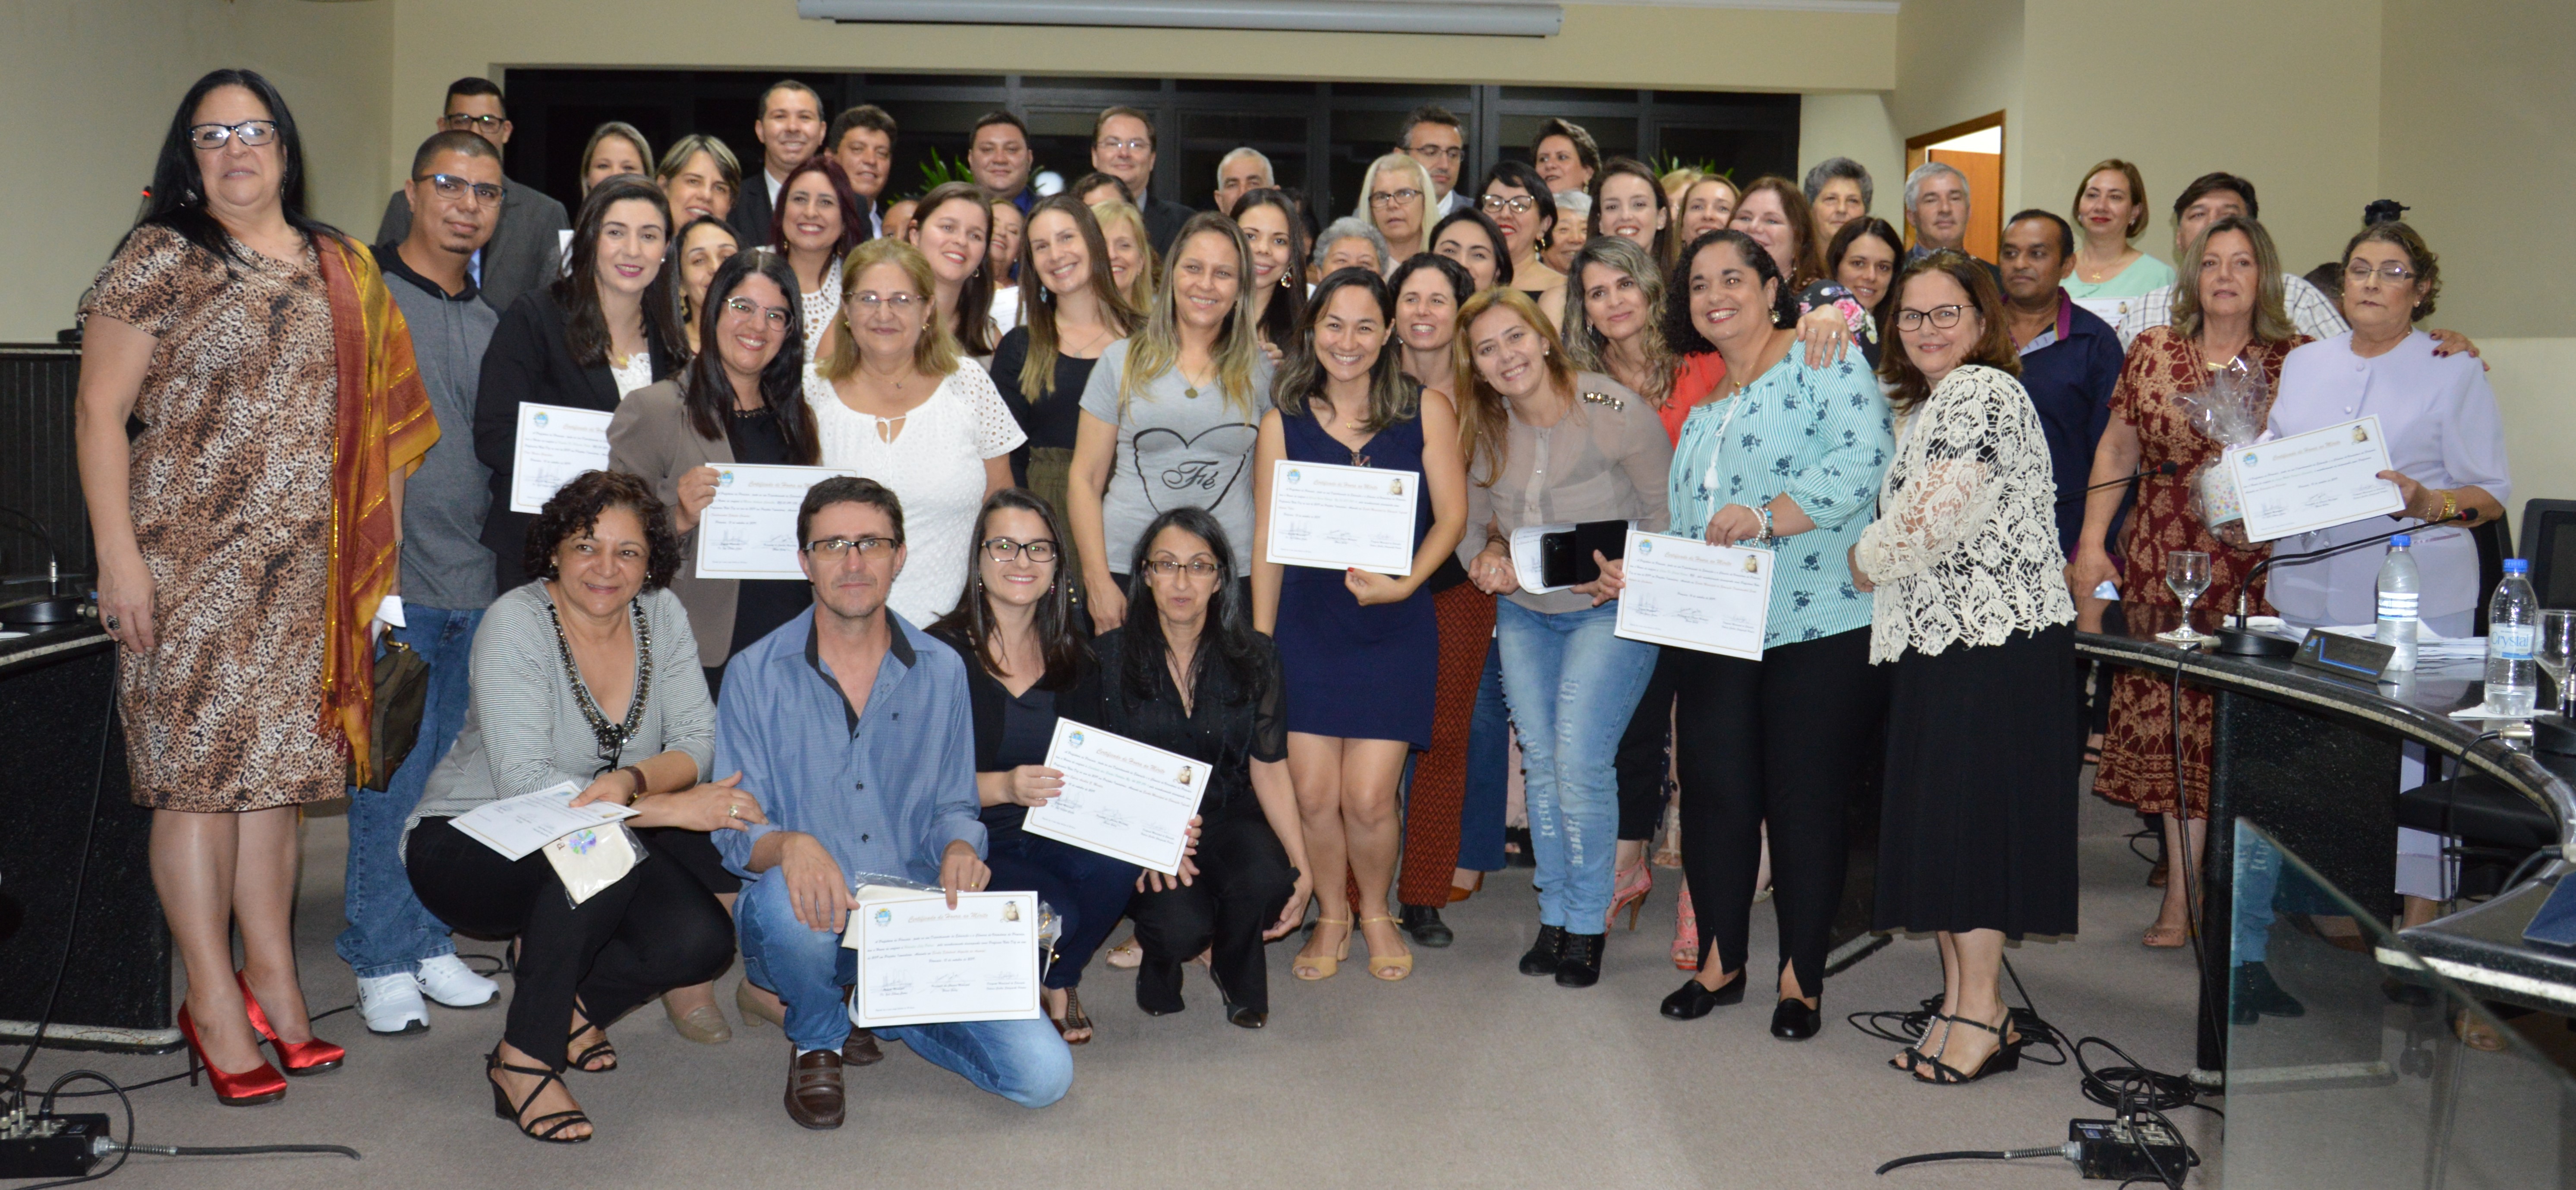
(1171, 411)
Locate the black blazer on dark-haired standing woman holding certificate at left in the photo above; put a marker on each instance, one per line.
(532, 362)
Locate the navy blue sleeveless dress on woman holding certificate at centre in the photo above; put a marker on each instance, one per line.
(1359, 674)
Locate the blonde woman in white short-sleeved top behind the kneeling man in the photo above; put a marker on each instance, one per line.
(898, 403)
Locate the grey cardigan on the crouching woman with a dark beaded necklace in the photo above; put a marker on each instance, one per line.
(524, 728)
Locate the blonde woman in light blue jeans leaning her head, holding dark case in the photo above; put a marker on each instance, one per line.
(1547, 447)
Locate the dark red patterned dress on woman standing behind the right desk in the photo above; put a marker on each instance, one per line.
(2139, 748)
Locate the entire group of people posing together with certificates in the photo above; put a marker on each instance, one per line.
(1060, 511)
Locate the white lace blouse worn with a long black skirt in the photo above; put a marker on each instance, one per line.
(1967, 542)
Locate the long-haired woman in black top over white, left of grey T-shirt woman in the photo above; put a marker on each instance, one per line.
(1042, 367)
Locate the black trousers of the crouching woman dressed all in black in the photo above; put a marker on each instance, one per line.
(1240, 890)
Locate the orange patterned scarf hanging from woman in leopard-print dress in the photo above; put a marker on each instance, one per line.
(385, 421)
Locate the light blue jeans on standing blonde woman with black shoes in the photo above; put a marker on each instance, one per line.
(1573, 686)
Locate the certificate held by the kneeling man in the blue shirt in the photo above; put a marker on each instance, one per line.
(923, 962)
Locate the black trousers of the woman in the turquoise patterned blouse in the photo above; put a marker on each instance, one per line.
(1781, 741)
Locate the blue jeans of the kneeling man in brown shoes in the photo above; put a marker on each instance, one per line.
(1019, 1060)
